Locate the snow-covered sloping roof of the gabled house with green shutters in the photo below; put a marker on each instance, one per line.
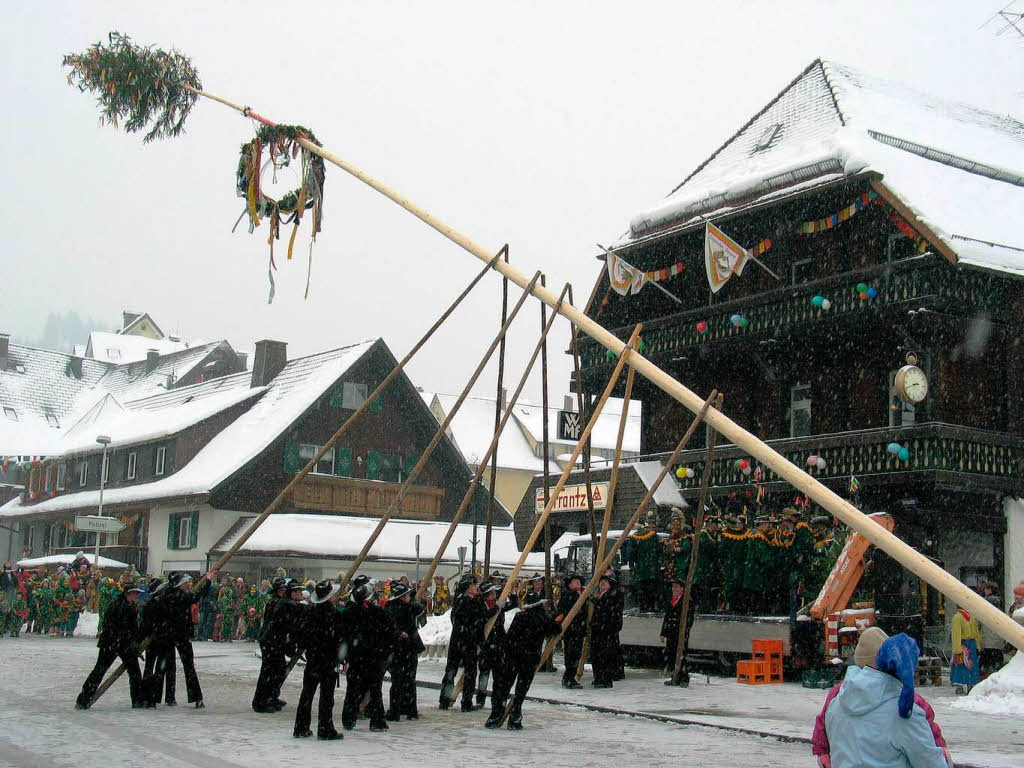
(288, 397)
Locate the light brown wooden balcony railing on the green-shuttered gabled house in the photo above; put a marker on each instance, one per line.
(371, 498)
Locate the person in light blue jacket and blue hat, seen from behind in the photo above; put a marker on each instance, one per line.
(874, 723)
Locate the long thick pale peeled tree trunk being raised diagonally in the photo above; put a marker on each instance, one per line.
(758, 450)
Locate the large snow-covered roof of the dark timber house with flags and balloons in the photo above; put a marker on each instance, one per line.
(959, 169)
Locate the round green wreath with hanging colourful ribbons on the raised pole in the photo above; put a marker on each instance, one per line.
(281, 143)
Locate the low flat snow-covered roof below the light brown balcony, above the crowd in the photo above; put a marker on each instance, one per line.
(344, 537)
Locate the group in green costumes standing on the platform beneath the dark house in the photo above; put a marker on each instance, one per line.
(761, 569)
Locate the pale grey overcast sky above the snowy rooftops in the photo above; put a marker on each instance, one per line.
(542, 124)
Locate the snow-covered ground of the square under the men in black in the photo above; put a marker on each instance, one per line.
(42, 676)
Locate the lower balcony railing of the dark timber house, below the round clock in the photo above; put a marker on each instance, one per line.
(940, 452)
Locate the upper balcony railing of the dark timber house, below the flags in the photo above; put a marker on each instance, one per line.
(899, 285)
